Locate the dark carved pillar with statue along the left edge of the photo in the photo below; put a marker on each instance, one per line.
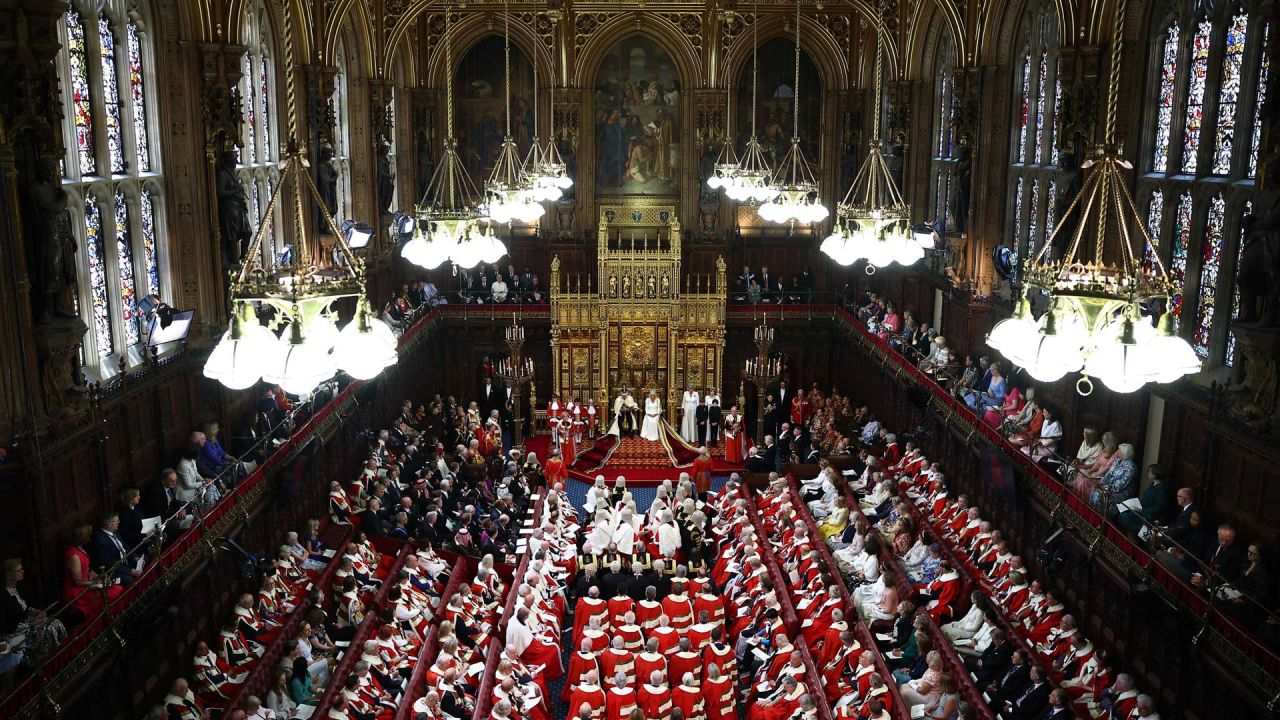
(38, 270)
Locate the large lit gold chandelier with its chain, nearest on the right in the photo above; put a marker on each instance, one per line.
(1096, 293)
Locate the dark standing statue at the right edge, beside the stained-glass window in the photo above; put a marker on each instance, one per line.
(1259, 275)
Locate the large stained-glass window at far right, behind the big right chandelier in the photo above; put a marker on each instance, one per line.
(1208, 85)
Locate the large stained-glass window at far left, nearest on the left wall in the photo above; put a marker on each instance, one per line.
(112, 175)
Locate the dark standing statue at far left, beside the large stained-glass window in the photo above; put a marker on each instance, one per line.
(51, 225)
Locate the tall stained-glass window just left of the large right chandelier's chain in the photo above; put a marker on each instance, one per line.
(1035, 156)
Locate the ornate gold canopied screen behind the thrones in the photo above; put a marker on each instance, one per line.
(638, 323)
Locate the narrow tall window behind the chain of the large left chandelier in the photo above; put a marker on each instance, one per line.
(260, 153)
